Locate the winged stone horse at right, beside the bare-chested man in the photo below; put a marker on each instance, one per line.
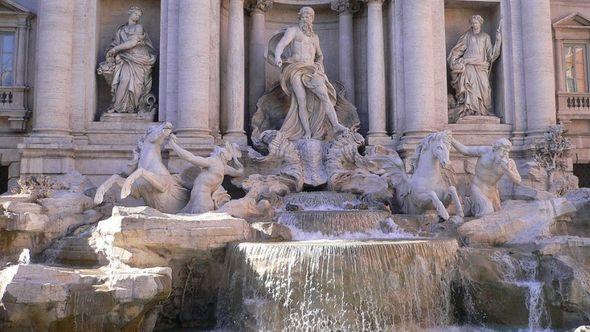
(427, 187)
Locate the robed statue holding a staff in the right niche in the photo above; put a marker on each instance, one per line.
(470, 62)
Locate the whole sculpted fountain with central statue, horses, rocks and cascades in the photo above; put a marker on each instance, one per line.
(330, 235)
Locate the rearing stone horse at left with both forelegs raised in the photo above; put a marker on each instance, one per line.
(147, 176)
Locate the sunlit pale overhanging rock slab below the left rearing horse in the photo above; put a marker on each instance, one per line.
(145, 237)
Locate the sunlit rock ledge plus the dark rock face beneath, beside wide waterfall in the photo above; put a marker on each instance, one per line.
(193, 246)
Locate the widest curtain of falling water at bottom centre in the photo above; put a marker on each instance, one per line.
(337, 285)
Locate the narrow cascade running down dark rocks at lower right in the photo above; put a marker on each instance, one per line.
(523, 273)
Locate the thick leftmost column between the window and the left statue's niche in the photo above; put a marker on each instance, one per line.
(54, 76)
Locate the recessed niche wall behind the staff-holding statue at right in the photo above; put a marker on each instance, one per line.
(457, 15)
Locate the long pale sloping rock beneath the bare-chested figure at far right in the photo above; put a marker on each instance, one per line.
(517, 222)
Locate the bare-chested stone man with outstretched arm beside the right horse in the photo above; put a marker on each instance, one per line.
(493, 162)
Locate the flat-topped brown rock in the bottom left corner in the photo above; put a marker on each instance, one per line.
(41, 298)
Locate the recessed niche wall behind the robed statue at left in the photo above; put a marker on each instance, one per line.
(112, 14)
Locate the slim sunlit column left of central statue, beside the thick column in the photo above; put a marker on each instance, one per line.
(234, 128)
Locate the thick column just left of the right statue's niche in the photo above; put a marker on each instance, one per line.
(418, 67)
